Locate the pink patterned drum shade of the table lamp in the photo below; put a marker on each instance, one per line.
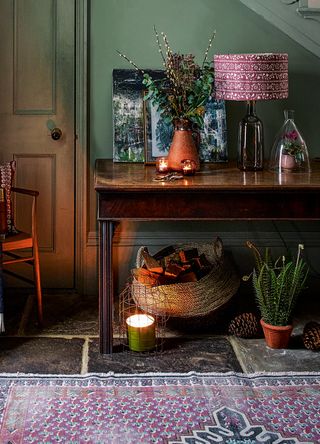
(251, 76)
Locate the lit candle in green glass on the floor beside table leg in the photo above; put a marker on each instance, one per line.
(141, 332)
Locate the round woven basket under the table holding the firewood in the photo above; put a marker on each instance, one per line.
(190, 299)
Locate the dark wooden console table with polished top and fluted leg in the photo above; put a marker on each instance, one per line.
(217, 192)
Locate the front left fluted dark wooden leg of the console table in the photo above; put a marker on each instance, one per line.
(106, 287)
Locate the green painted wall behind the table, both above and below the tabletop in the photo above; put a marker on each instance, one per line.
(127, 25)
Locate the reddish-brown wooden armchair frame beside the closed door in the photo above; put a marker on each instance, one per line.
(12, 243)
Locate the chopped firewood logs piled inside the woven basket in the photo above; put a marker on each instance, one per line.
(171, 266)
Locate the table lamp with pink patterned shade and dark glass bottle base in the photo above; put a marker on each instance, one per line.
(251, 77)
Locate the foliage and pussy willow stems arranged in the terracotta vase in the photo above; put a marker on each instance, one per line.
(186, 87)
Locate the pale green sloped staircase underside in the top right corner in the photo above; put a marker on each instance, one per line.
(298, 20)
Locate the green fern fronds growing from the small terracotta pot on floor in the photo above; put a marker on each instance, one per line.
(277, 284)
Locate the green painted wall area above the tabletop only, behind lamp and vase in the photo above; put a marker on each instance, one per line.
(127, 25)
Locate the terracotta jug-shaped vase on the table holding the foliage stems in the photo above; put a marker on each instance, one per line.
(183, 146)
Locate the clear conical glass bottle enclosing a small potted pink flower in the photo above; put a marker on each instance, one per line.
(289, 152)
